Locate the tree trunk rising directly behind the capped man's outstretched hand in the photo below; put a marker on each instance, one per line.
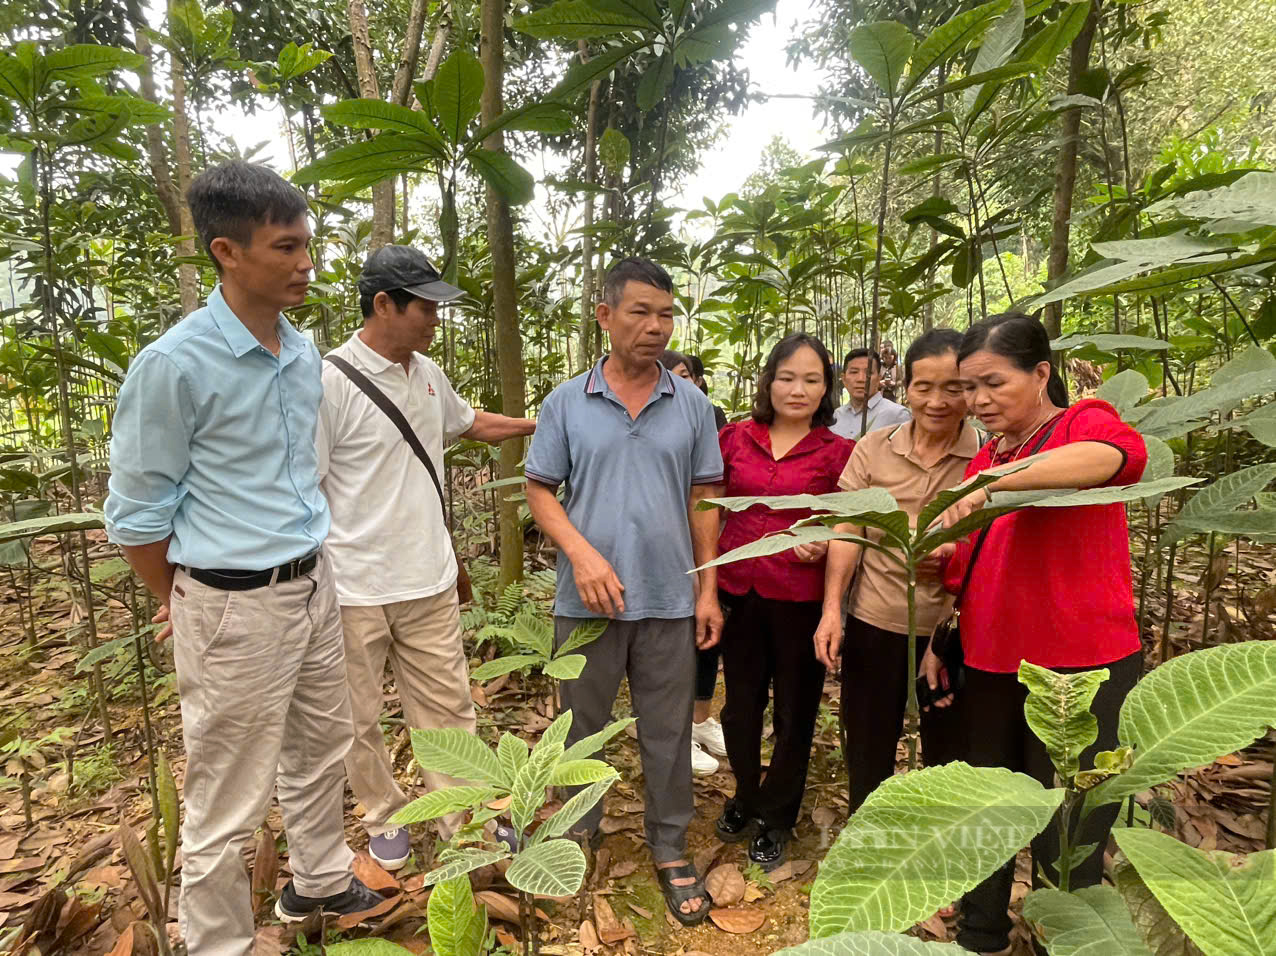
(501, 242)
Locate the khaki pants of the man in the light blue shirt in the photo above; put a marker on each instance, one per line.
(265, 708)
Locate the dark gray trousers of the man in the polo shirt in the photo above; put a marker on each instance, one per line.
(659, 658)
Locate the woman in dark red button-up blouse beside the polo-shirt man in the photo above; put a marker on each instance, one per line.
(775, 603)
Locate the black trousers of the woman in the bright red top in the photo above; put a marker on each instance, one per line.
(996, 736)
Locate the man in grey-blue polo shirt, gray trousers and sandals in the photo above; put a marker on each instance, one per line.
(637, 449)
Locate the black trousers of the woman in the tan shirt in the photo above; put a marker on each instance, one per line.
(876, 676)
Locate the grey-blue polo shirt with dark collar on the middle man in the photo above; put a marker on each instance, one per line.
(628, 486)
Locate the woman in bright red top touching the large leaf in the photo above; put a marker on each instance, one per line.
(1050, 586)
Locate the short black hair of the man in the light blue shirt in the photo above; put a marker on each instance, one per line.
(233, 200)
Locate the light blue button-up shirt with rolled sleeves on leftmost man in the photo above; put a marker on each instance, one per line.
(214, 444)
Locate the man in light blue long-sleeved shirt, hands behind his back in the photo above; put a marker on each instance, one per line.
(215, 502)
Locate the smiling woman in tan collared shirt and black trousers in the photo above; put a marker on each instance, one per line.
(914, 463)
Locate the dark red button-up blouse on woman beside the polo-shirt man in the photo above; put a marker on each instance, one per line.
(812, 467)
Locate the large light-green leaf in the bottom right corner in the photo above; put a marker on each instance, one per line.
(1224, 903)
